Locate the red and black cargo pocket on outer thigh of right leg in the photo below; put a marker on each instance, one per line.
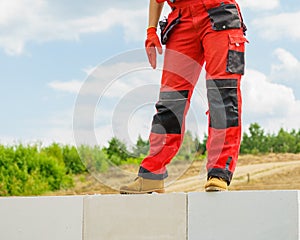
(236, 54)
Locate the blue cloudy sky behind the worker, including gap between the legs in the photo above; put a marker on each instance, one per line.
(52, 53)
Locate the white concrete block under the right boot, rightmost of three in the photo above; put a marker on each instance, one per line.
(258, 215)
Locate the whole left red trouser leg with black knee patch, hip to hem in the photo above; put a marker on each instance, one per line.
(180, 74)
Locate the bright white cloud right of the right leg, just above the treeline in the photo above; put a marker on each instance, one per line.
(270, 104)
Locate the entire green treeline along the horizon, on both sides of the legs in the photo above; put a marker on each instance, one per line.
(34, 170)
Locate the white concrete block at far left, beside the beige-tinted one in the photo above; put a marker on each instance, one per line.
(36, 218)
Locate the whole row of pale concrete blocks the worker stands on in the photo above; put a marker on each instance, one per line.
(258, 215)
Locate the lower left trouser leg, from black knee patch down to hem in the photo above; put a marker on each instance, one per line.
(166, 133)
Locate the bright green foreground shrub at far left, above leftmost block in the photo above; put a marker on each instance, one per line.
(24, 170)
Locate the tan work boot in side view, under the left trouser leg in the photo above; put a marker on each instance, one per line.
(143, 185)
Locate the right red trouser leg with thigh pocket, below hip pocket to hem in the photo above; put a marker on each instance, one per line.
(224, 99)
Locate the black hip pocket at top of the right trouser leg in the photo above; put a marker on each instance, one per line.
(224, 17)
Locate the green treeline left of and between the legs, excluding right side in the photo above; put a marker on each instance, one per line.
(34, 170)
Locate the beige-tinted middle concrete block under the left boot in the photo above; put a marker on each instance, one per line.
(135, 217)
